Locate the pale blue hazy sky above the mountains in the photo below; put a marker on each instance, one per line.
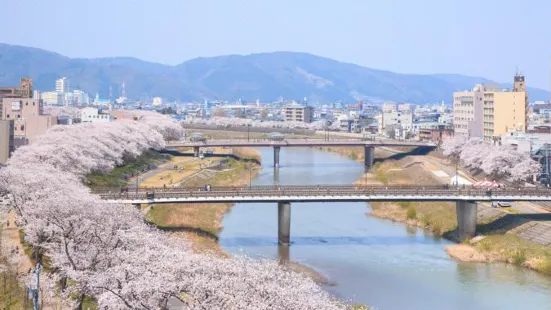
(487, 38)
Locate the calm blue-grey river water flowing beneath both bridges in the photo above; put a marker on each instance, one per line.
(372, 261)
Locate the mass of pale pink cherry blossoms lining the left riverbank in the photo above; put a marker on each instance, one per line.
(109, 252)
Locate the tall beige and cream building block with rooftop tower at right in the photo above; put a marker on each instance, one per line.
(488, 111)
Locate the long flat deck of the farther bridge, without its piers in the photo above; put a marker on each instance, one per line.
(298, 143)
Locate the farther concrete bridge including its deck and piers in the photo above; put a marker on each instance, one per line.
(368, 145)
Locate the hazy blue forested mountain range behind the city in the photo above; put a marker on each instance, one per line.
(265, 76)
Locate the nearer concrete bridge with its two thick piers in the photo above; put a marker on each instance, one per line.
(464, 197)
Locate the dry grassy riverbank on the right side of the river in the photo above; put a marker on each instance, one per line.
(499, 229)
